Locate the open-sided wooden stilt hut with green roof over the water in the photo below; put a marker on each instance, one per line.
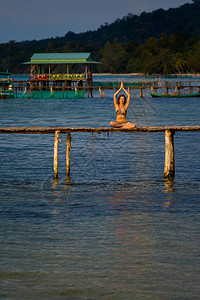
(61, 75)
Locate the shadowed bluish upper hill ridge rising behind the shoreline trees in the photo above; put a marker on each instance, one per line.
(185, 18)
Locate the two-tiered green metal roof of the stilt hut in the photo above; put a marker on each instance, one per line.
(61, 58)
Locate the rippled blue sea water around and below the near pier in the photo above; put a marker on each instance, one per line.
(115, 229)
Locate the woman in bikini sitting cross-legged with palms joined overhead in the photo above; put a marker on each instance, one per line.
(121, 106)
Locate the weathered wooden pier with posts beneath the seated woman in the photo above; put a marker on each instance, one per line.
(169, 167)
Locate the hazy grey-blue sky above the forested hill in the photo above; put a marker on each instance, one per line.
(39, 19)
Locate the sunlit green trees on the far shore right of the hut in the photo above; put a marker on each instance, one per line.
(177, 54)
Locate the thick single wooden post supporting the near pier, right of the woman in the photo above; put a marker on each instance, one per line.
(169, 169)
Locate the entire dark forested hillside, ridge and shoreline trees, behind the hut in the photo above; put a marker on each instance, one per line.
(164, 41)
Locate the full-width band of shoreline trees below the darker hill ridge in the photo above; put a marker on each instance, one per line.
(180, 53)
